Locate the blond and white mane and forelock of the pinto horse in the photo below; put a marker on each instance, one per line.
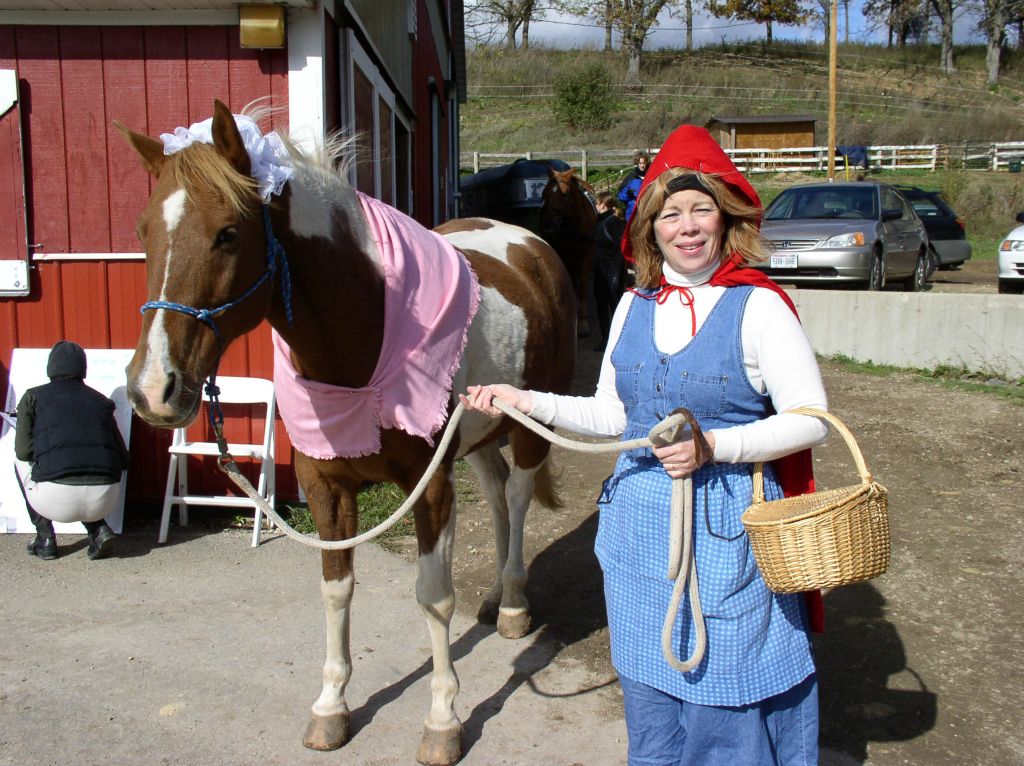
(199, 169)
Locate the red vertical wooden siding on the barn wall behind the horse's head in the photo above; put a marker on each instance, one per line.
(84, 191)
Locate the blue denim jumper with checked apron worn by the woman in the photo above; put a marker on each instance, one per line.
(758, 643)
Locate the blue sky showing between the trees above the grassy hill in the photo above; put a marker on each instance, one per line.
(573, 32)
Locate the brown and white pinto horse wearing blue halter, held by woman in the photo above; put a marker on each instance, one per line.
(211, 242)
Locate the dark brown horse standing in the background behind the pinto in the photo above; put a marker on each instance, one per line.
(568, 219)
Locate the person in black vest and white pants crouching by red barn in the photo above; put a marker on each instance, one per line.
(68, 434)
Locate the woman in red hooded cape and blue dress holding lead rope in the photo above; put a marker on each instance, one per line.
(702, 331)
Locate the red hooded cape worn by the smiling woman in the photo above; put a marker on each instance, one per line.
(693, 148)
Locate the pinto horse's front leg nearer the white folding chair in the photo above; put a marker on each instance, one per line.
(334, 510)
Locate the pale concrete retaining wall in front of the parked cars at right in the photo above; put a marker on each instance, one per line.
(984, 333)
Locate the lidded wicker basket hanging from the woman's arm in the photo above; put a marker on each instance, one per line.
(824, 539)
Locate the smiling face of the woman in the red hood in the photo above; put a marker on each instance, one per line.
(689, 231)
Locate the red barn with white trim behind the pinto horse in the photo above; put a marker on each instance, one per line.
(394, 71)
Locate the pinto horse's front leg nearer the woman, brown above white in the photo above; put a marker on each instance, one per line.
(442, 743)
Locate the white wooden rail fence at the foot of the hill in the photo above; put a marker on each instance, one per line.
(968, 156)
